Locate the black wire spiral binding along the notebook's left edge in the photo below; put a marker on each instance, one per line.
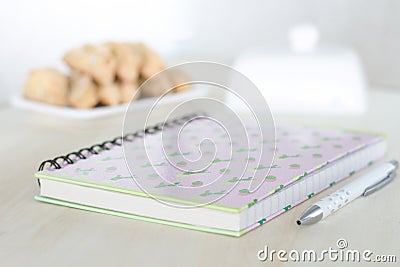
(71, 158)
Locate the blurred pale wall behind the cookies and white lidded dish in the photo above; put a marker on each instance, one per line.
(37, 33)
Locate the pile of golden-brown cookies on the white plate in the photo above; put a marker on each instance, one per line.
(107, 74)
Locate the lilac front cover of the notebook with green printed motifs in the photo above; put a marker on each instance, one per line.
(298, 152)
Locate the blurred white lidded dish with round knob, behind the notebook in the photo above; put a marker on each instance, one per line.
(306, 79)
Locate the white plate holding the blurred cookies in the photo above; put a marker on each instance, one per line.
(98, 112)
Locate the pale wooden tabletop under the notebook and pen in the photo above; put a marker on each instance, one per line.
(38, 234)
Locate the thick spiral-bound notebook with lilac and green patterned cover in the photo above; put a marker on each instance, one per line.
(307, 161)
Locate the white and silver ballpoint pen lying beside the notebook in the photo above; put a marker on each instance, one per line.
(363, 186)
